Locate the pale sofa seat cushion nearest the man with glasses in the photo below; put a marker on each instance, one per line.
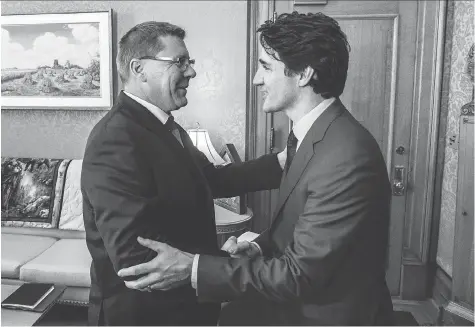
(67, 262)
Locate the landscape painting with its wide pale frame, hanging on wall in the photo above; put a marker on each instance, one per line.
(54, 61)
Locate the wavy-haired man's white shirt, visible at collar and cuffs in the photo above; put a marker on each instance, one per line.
(300, 129)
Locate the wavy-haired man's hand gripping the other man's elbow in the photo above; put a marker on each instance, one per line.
(169, 269)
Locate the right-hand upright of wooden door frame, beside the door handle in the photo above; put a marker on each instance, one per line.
(416, 267)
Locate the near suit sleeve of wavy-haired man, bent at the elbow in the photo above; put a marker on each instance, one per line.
(340, 198)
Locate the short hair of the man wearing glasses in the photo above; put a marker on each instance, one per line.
(143, 40)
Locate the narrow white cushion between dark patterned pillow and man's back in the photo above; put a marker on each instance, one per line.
(71, 211)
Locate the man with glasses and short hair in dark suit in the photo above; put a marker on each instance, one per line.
(142, 176)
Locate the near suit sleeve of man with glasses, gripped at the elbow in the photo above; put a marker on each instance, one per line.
(117, 185)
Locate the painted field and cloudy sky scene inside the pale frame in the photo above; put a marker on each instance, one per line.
(51, 60)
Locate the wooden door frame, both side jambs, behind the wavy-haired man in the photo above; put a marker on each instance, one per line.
(416, 240)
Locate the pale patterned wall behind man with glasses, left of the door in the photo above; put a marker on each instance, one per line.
(216, 38)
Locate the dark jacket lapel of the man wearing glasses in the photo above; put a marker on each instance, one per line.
(146, 119)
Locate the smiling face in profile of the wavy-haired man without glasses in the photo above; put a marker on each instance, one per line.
(280, 92)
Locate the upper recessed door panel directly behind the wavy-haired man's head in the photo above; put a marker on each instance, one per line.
(368, 90)
